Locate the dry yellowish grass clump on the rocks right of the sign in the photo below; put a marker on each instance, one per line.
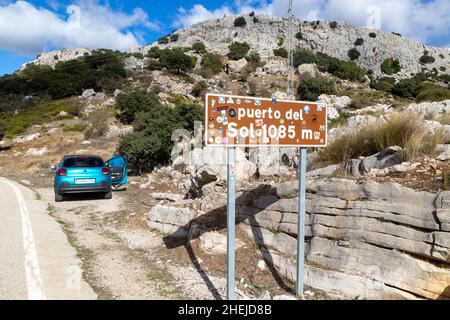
(401, 129)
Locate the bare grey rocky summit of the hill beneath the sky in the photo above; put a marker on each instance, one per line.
(263, 37)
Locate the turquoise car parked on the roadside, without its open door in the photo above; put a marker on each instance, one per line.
(82, 174)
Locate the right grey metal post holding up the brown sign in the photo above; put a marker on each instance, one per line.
(301, 220)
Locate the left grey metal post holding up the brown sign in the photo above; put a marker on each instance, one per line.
(231, 224)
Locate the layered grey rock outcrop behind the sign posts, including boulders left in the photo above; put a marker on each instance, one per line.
(372, 240)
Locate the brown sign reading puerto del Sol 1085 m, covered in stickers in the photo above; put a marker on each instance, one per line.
(249, 121)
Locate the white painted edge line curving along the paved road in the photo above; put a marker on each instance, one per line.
(33, 274)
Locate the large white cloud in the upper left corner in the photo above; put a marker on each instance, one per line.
(27, 29)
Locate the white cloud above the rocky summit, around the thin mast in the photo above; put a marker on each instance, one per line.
(420, 20)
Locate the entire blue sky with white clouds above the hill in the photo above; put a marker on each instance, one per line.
(29, 27)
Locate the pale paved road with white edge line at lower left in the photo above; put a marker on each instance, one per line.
(36, 259)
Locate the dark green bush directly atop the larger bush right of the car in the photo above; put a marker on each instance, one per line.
(130, 104)
